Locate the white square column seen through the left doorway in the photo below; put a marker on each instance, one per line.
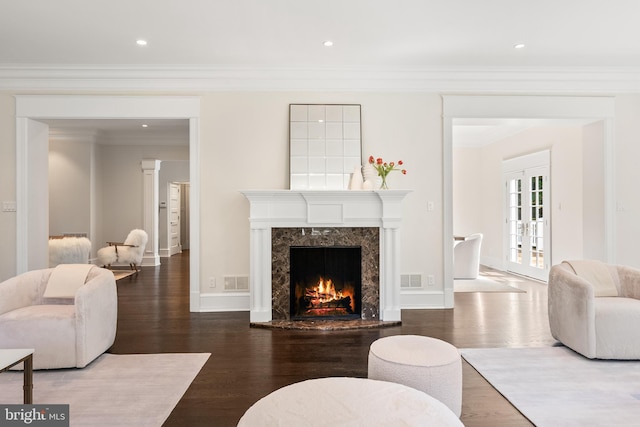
(150, 170)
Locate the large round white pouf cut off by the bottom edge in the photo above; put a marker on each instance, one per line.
(345, 401)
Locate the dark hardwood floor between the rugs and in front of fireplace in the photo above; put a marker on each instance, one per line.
(249, 363)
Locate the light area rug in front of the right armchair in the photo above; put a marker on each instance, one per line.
(554, 386)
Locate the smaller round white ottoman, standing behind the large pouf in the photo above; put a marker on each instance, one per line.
(427, 364)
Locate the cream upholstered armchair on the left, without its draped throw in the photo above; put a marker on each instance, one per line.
(64, 332)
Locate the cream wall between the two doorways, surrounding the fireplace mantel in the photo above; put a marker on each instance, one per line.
(244, 145)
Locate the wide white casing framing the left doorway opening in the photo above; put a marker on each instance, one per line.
(31, 143)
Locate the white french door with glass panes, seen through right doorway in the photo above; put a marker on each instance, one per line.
(527, 225)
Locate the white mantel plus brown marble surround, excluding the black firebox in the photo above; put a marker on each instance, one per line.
(279, 219)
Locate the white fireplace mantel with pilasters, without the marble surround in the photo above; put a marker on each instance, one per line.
(308, 208)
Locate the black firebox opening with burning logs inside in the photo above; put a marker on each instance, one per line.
(326, 282)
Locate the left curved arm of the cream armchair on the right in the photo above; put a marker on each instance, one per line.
(571, 310)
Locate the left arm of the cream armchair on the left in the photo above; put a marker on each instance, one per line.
(23, 290)
